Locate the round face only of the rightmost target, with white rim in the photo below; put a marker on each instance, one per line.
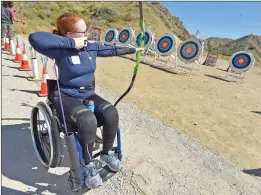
(241, 61)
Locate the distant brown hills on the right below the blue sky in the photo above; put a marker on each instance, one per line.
(229, 46)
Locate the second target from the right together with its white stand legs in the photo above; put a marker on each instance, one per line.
(189, 52)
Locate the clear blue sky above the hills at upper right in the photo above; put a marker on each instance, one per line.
(218, 19)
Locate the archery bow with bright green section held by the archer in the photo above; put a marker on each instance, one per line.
(141, 45)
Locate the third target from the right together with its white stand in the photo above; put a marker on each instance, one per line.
(166, 51)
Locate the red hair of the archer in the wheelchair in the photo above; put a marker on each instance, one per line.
(66, 23)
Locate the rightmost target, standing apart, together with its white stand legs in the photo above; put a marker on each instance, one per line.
(239, 63)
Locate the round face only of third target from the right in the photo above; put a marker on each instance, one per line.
(166, 44)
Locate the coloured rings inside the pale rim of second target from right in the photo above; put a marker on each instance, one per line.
(189, 50)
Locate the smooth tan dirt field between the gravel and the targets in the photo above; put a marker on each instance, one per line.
(222, 115)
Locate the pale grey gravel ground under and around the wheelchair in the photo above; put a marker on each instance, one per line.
(157, 159)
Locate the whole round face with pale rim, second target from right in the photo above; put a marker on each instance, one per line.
(190, 50)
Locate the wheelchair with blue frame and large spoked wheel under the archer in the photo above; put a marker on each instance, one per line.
(55, 127)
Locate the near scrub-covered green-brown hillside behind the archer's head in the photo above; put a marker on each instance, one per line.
(41, 16)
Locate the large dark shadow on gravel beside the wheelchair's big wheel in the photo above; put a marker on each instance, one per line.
(20, 164)
